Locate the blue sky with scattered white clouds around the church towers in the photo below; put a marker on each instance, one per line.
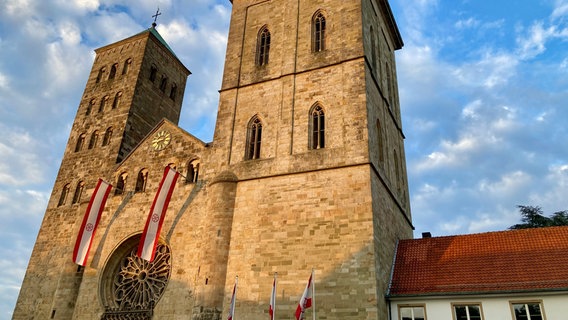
(483, 89)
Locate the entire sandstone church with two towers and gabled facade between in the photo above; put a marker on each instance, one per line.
(306, 172)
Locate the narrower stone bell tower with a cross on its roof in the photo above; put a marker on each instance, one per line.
(133, 84)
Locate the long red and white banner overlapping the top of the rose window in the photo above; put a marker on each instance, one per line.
(149, 240)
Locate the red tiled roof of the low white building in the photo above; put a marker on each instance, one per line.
(493, 262)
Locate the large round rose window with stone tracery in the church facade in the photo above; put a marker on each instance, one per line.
(129, 286)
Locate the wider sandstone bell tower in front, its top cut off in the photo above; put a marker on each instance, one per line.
(309, 121)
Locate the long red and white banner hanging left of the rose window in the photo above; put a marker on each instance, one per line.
(90, 222)
